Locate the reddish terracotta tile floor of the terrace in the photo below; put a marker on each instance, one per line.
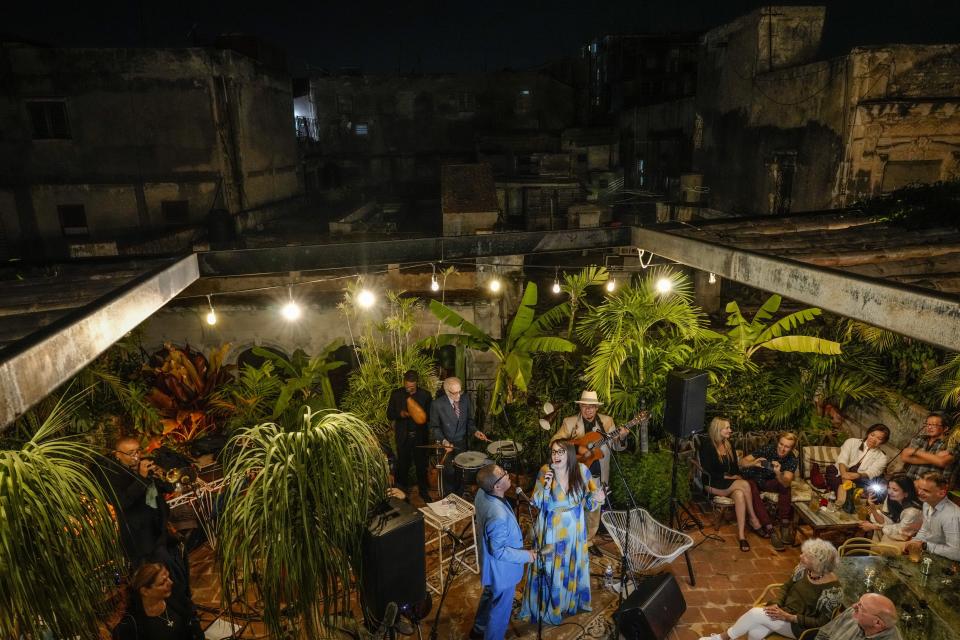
(728, 581)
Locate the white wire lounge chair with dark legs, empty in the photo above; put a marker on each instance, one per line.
(649, 543)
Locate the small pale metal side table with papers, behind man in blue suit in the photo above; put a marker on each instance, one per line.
(460, 521)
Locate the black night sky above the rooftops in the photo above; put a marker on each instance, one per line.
(447, 35)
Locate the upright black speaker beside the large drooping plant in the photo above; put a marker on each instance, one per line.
(394, 562)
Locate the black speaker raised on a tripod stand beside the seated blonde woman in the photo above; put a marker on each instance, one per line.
(683, 416)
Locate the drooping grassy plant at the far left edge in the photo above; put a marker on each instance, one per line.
(57, 539)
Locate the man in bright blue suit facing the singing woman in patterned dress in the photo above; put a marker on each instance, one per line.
(502, 555)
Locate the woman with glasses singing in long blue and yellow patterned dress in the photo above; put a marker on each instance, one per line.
(563, 493)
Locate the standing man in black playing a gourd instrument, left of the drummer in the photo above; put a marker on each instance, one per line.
(409, 435)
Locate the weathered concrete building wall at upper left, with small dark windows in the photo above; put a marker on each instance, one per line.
(145, 125)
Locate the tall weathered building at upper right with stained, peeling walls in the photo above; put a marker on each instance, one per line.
(780, 133)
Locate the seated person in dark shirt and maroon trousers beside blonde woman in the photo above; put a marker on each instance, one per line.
(772, 468)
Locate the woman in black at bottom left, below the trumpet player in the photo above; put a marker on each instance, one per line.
(151, 613)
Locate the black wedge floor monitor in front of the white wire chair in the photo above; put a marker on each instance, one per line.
(652, 610)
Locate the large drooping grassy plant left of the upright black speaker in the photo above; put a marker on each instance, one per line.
(296, 528)
